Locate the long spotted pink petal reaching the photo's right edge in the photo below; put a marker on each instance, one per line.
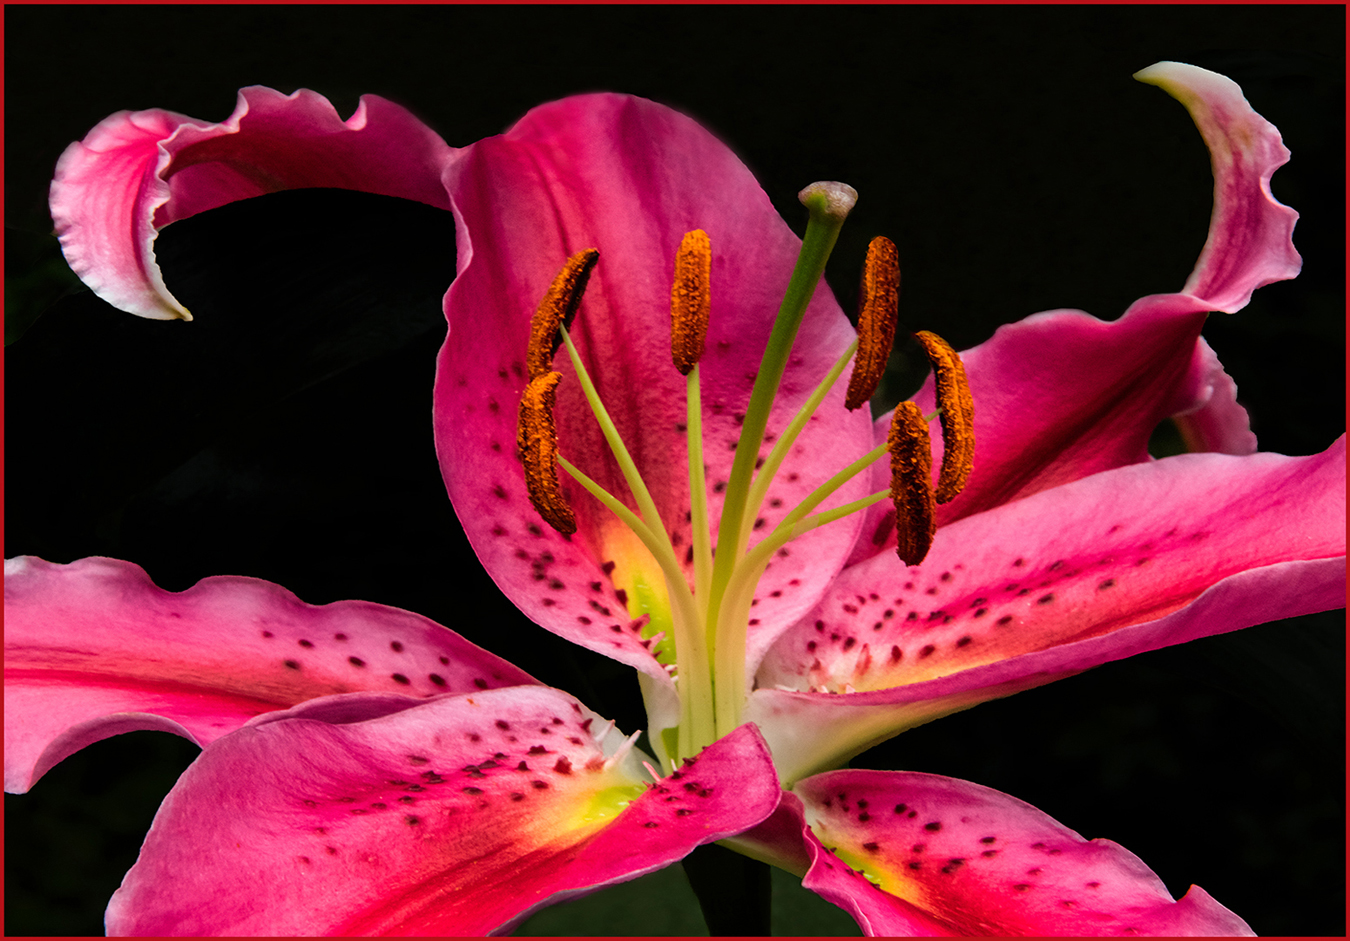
(1098, 570)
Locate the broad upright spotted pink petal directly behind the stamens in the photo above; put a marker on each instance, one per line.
(630, 179)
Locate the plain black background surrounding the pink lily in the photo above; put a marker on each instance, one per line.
(286, 434)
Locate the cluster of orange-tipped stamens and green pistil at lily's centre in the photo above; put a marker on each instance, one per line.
(700, 630)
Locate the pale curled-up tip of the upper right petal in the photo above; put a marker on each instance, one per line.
(1249, 242)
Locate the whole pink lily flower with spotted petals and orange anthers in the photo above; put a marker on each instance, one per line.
(396, 780)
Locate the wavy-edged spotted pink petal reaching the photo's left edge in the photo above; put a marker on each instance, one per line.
(94, 649)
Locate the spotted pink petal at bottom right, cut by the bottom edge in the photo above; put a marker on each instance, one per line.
(956, 859)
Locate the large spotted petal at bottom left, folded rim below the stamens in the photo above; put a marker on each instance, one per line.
(456, 817)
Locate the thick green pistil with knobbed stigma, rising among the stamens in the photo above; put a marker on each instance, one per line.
(821, 233)
